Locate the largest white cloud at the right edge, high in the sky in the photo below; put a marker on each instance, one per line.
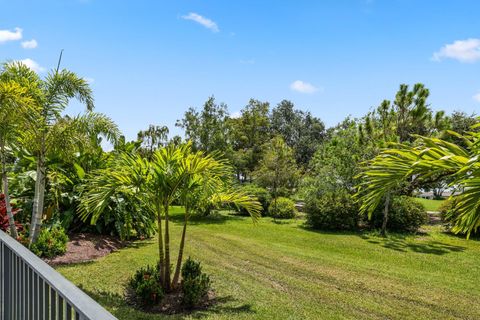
(461, 50)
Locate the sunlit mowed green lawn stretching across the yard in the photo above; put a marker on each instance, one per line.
(283, 271)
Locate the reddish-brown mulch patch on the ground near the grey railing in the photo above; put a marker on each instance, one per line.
(83, 247)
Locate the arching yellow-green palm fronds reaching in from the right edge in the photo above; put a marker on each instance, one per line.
(430, 160)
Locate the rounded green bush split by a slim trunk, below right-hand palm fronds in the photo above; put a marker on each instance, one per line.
(405, 215)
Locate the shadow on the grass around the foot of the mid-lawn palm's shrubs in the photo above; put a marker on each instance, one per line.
(120, 308)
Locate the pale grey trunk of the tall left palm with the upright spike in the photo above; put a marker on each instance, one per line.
(37, 212)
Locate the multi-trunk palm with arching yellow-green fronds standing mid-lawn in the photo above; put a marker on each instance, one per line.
(176, 172)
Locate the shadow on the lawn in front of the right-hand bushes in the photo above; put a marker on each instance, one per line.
(405, 243)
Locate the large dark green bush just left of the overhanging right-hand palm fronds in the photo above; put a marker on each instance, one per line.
(332, 211)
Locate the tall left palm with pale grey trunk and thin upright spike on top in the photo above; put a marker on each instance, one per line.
(48, 131)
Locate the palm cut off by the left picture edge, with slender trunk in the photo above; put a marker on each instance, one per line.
(14, 107)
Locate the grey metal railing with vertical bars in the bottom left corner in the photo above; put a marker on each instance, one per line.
(31, 290)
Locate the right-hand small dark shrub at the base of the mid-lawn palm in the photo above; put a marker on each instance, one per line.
(195, 283)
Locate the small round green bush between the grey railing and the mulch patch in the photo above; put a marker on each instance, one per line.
(51, 242)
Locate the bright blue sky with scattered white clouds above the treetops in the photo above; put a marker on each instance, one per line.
(148, 61)
